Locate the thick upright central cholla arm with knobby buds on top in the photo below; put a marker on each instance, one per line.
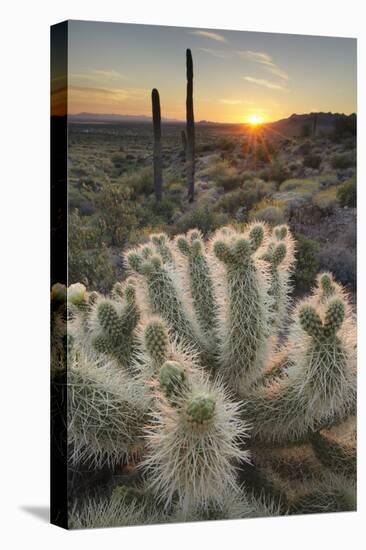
(244, 315)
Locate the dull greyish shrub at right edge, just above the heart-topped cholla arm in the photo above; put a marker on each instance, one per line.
(341, 261)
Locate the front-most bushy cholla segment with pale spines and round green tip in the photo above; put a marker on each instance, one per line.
(190, 465)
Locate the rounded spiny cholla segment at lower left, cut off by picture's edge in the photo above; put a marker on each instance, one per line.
(106, 412)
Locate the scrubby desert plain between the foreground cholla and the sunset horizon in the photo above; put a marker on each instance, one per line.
(241, 175)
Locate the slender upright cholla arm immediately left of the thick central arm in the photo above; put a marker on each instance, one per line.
(200, 279)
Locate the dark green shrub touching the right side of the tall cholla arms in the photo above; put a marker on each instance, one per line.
(307, 264)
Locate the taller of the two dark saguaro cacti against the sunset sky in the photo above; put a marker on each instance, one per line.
(190, 127)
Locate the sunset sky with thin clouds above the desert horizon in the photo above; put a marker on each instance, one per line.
(113, 68)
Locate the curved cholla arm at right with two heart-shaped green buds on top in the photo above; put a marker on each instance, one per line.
(318, 386)
